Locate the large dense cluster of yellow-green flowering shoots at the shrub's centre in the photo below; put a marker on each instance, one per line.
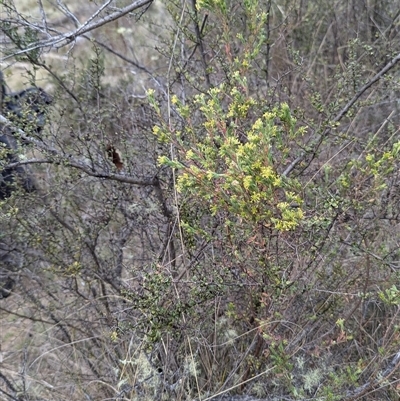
(236, 174)
